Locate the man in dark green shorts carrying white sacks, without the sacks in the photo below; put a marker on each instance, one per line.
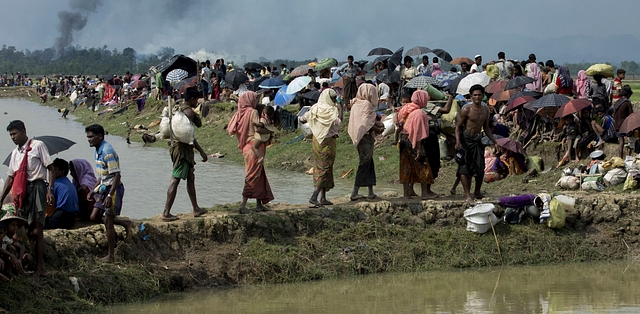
(184, 161)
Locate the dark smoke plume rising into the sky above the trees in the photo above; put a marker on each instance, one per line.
(73, 20)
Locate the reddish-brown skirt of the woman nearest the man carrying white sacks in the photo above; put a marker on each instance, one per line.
(256, 184)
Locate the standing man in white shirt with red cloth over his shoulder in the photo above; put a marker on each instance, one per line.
(30, 191)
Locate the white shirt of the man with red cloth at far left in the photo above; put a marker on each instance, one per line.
(39, 160)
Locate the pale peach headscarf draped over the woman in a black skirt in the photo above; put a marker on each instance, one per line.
(362, 115)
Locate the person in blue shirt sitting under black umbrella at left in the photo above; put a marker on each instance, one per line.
(66, 198)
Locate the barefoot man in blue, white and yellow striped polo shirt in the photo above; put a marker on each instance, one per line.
(109, 190)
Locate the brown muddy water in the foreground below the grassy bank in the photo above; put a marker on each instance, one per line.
(579, 288)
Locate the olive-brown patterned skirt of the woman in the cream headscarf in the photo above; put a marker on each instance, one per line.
(323, 157)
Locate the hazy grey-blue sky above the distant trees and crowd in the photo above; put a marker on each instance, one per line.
(245, 30)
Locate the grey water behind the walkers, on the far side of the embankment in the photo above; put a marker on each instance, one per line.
(146, 170)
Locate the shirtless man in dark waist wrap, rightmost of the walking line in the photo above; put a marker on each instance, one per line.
(473, 118)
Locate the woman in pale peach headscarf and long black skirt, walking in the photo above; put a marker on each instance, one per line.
(362, 128)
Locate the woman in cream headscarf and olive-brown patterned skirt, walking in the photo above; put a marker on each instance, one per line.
(324, 120)
